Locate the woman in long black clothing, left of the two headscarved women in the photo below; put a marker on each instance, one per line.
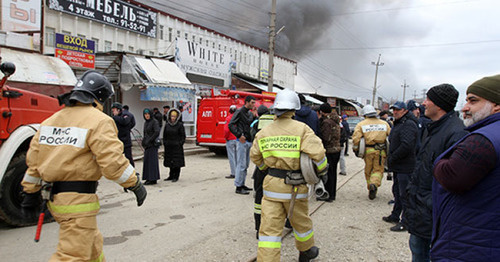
(150, 169)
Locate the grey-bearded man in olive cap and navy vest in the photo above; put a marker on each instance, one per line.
(466, 188)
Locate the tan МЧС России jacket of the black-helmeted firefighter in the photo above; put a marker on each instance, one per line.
(78, 143)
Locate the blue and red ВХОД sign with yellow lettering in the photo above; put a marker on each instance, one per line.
(75, 51)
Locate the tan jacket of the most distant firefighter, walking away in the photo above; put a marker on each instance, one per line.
(374, 130)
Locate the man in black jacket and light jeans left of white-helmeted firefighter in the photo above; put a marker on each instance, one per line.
(240, 127)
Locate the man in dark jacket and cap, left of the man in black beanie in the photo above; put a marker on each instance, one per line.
(401, 160)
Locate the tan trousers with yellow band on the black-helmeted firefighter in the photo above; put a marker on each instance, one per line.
(79, 237)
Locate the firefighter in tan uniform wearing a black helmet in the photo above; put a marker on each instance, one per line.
(72, 150)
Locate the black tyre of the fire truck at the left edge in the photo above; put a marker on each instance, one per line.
(11, 195)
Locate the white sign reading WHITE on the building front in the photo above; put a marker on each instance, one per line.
(201, 60)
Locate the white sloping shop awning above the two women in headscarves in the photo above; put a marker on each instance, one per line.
(159, 80)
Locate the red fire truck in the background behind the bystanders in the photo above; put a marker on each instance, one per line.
(212, 113)
